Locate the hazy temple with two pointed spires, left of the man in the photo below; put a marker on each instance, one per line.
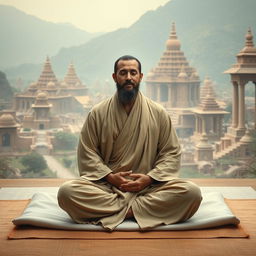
(61, 94)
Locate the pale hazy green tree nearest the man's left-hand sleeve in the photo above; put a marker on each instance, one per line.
(65, 141)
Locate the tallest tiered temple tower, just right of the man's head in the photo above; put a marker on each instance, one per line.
(173, 82)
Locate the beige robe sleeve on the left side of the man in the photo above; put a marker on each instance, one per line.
(90, 163)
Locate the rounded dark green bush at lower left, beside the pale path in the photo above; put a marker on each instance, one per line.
(34, 163)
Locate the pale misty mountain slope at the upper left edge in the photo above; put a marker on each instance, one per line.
(27, 39)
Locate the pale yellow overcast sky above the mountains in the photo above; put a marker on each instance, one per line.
(90, 15)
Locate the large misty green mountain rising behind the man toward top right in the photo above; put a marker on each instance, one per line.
(211, 34)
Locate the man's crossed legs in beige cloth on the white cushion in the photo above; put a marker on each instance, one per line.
(162, 203)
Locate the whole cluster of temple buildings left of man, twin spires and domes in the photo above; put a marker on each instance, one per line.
(47, 106)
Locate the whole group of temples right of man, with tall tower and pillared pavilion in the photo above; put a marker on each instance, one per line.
(196, 113)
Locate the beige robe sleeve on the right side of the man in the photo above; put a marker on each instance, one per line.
(167, 162)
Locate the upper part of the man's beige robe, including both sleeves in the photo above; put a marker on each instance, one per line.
(143, 141)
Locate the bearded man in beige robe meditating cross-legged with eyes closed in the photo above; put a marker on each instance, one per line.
(128, 159)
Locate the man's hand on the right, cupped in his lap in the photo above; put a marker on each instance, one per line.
(139, 182)
